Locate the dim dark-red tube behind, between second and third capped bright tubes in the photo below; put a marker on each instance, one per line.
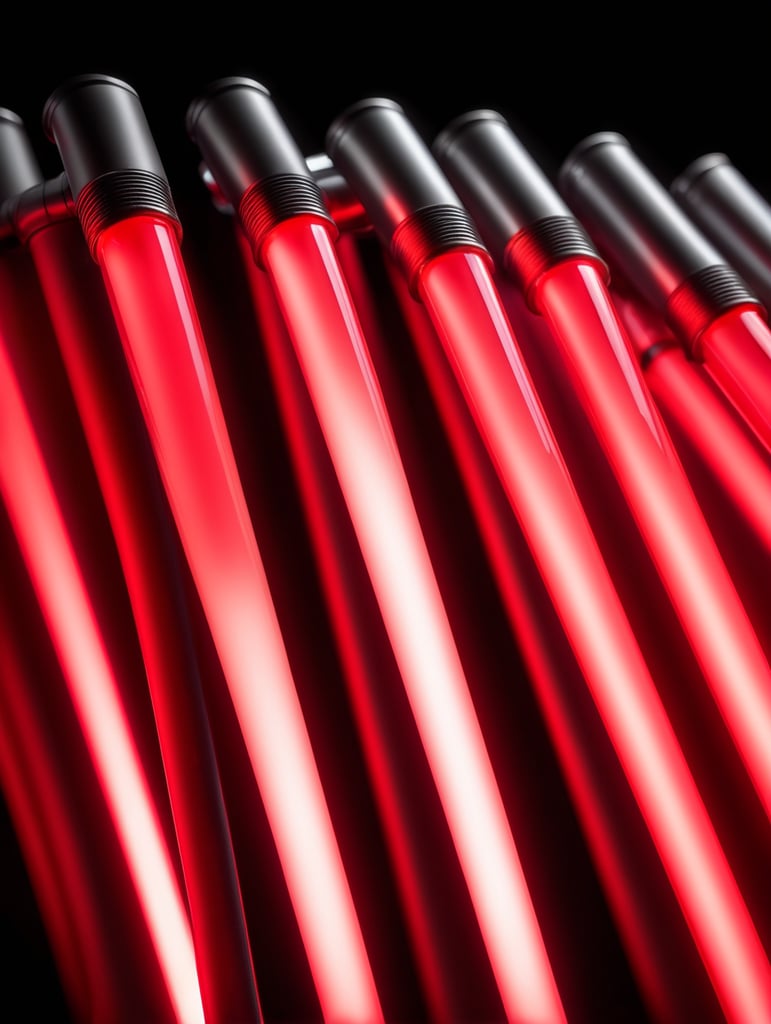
(640, 908)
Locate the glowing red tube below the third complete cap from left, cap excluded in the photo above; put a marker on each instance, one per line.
(468, 317)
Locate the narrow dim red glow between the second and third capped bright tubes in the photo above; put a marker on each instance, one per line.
(552, 675)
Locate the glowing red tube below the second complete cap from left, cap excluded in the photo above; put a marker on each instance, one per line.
(322, 321)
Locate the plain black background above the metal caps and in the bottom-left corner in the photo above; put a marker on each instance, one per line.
(676, 82)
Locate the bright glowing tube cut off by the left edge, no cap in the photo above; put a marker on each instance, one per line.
(37, 521)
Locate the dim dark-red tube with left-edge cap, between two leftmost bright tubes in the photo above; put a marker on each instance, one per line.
(136, 504)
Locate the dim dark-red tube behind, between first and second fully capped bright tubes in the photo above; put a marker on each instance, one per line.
(396, 772)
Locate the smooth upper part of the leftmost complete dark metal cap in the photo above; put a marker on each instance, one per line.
(99, 125)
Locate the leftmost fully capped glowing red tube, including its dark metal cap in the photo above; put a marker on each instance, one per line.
(138, 250)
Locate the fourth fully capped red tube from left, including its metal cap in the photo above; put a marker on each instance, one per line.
(565, 282)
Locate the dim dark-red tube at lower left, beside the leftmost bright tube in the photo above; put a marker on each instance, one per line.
(66, 829)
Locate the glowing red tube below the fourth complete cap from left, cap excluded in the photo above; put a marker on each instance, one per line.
(575, 302)
